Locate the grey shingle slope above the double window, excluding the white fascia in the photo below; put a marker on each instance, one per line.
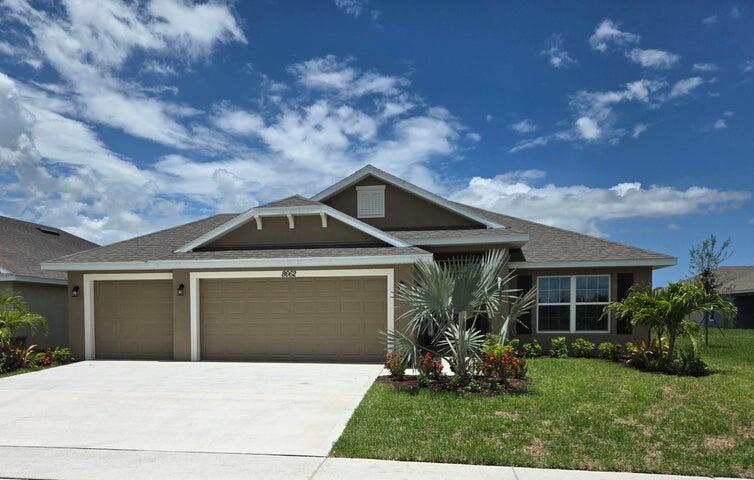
(548, 244)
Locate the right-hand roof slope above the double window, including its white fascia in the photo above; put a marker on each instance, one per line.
(552, 247)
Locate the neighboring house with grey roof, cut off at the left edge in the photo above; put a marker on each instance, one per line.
(23, 247)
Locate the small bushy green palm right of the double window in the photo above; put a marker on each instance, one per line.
(665, 309)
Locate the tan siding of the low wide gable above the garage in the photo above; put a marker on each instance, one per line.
(307, 230)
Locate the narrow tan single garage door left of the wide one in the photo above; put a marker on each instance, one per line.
(133, 319)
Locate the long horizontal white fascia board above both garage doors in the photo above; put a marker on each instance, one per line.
(283, 262)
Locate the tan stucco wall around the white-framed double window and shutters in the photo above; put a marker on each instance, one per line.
(641, 276)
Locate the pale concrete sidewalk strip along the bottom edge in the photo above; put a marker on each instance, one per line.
(84, 464)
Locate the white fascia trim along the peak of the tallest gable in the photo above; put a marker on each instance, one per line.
(370, 170)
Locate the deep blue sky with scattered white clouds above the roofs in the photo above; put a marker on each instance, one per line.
(627, 120)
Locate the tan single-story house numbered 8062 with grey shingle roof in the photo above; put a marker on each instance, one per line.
(313, 278)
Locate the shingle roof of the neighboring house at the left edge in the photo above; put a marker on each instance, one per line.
(24, 246)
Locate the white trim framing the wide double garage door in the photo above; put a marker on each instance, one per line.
(195, 277)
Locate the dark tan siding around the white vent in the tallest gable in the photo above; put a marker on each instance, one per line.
(403, 210)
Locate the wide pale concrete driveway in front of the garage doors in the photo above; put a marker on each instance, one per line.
(248, 408)
